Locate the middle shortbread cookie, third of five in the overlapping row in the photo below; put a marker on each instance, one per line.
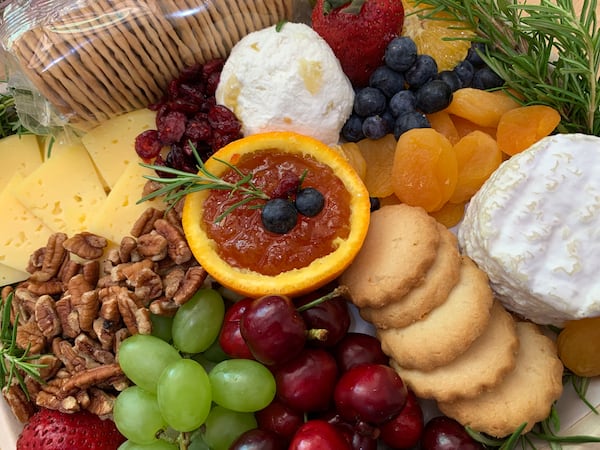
(448, 330)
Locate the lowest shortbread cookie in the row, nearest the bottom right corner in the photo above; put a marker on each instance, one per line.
(525, 395)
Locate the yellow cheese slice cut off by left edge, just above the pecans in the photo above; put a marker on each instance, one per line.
(21, 232)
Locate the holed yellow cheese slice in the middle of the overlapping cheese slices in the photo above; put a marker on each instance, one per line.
(64, 191)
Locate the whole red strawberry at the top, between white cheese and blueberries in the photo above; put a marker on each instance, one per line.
(358, 31)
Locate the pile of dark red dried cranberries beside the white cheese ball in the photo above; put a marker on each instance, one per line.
(188, 117)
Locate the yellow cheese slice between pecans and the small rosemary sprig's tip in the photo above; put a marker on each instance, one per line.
(116, 216)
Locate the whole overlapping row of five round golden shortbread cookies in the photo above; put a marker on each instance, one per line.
(446, 335)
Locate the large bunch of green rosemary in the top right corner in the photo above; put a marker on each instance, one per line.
(548, 53)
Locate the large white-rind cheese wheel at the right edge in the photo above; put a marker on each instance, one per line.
(534, 227)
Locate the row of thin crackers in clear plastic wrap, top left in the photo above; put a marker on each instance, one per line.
(98, 59)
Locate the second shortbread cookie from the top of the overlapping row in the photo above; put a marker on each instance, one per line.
(439, 280)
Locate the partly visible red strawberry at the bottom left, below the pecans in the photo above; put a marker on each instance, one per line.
(54, 430)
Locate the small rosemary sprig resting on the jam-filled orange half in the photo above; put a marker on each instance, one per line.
(184, 183)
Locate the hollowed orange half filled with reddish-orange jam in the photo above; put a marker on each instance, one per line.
(241, 254)
